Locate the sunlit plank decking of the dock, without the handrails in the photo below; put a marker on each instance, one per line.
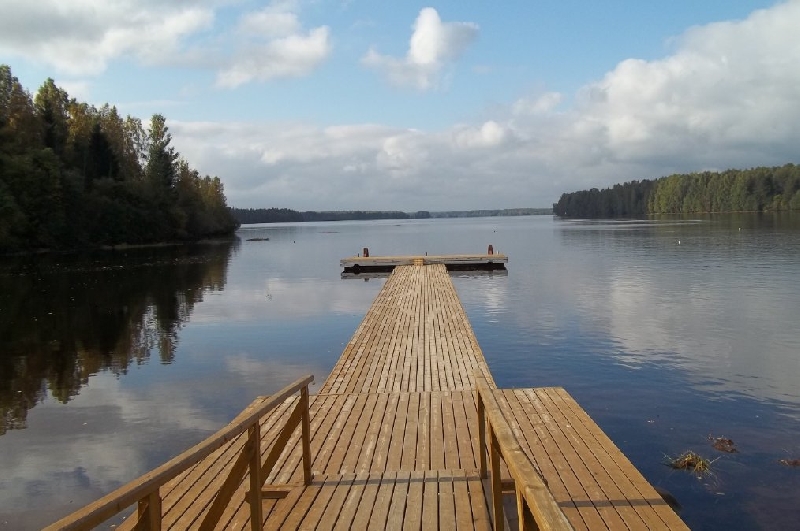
(394, 440)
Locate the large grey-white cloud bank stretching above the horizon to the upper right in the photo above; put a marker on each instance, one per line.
(726, 96)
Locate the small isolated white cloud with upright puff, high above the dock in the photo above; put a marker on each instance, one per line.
(433, 46)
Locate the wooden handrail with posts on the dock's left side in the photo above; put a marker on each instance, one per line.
(144, 489)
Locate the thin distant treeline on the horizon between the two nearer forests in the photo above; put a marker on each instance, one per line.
(281, 215)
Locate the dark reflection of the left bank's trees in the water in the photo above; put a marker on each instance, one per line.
(67, 318)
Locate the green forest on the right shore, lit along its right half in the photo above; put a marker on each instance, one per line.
(754, 190)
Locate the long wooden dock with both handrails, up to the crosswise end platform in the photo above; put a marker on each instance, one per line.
(397, 438)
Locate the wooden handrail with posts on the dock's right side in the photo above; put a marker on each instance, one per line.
(531, 490)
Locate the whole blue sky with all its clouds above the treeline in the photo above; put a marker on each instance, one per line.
(317, 104)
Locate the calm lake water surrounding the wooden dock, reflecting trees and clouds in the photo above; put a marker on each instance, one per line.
(667, 332)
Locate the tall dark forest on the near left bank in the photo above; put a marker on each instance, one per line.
(73, 175)
